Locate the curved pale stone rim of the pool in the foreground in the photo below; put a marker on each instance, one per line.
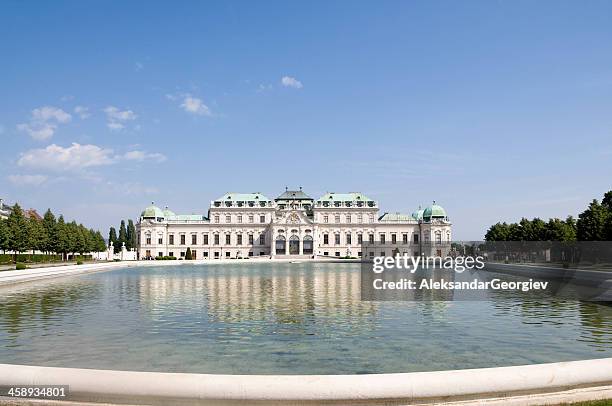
(520, 385)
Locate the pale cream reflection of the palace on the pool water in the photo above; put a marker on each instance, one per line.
(241, 294)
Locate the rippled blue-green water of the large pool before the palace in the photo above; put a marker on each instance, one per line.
(281, 319)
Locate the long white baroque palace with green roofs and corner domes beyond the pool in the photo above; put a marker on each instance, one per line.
(240, 225)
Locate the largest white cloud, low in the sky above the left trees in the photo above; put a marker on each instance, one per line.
(74, 157)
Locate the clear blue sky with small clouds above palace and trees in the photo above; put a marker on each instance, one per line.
(495, 109)
